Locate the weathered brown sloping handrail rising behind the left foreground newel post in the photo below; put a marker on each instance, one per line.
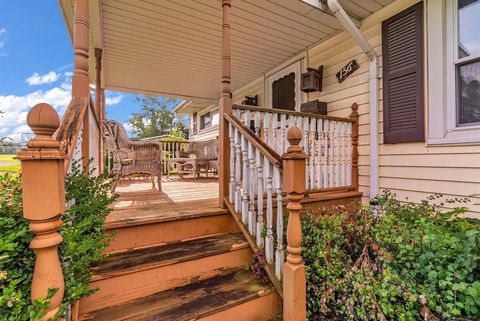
(69, 130)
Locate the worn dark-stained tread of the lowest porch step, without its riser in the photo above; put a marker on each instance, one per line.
(189, 302)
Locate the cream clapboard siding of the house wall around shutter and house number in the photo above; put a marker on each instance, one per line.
(411, 170)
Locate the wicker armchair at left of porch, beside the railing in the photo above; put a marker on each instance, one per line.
(132, 157)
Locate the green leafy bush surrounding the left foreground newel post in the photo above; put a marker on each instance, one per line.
(84, 240)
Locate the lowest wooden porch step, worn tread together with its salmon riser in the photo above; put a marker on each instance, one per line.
(233, 295)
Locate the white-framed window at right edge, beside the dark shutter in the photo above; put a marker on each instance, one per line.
(453, 71)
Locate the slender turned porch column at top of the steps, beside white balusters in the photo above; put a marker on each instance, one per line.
(225, 106)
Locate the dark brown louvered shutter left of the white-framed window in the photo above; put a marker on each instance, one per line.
(402, 51)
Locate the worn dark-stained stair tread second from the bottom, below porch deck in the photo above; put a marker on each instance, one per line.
(166, 254)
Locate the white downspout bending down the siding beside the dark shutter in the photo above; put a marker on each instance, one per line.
(350, 27)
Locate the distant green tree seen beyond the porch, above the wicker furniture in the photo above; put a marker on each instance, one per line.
(156, 118)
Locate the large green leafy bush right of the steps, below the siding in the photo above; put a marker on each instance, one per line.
(413, 262)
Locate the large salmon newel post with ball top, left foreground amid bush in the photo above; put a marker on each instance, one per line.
(43, 188)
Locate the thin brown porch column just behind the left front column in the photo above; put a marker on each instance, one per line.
(99, 107)
